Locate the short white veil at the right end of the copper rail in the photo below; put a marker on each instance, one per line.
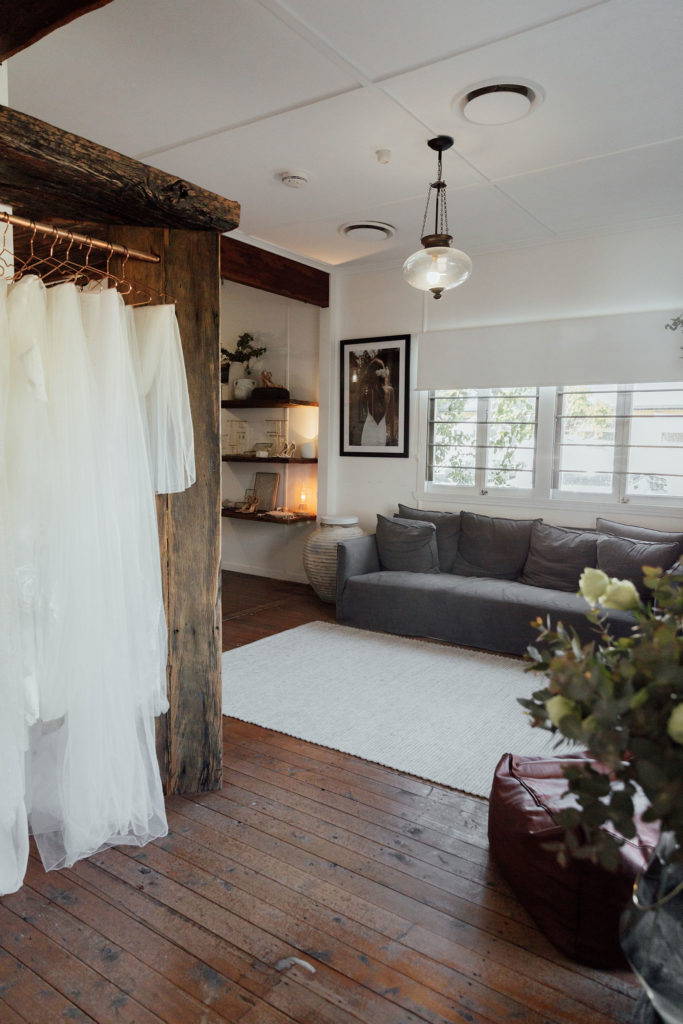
(167, 402)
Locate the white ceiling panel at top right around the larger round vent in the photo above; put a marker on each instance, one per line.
(612, 77)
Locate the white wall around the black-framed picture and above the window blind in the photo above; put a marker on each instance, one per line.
(626, 273)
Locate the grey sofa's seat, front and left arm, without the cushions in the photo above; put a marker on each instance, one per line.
(491, 614)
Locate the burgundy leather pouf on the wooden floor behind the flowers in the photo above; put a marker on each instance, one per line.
(578, 908)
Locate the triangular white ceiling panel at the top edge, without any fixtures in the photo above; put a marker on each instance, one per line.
(385, 37)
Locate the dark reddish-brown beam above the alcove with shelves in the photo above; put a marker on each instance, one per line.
(248, 265)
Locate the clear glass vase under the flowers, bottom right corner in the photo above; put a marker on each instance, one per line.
(653, 932)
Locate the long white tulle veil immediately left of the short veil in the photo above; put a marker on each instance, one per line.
(123, 451)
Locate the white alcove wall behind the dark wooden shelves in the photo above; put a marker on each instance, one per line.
(290, 331)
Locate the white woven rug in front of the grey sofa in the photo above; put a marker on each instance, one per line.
(445, 714)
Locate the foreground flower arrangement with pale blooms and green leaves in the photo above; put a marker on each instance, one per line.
(621, 700)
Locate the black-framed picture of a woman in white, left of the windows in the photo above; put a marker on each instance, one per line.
(375, 397)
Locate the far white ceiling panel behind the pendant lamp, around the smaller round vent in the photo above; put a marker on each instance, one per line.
(481, 220)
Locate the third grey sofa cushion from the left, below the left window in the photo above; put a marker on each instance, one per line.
(492, 547)
